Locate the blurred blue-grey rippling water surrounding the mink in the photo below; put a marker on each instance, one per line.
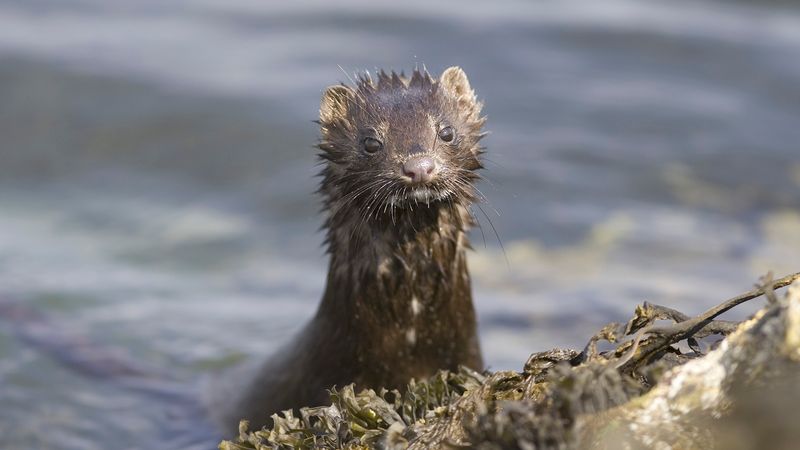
(157, 178)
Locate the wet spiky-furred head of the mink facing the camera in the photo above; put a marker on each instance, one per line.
(400, 145)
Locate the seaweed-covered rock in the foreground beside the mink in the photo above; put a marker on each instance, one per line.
(647, 392)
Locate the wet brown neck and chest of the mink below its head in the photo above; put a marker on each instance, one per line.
(398, 287)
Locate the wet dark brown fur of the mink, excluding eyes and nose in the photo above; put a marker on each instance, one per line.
(398, 300)
